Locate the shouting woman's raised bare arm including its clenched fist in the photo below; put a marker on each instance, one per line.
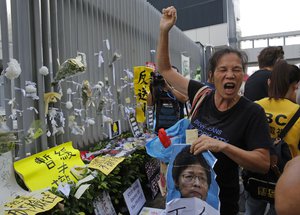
(167, 21)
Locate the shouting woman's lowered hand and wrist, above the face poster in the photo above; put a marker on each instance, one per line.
(204, 143)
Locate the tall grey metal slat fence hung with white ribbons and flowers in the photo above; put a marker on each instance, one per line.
(39, 32)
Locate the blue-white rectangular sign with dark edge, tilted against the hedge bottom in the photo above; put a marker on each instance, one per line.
(134, 197)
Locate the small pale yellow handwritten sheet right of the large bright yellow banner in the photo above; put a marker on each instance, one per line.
(105, 164)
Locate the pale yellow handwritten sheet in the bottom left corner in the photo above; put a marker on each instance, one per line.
(30, 205)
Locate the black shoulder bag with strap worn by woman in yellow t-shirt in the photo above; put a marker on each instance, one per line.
(262, 186)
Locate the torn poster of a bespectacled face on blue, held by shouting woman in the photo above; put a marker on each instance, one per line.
(190, 175)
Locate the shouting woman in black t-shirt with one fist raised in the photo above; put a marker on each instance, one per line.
(233, 128)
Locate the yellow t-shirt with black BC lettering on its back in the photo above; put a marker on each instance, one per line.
(278, 113)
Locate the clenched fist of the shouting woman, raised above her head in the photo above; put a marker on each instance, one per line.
(168, 19)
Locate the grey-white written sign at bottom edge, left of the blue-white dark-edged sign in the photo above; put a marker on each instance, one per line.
(103, 205)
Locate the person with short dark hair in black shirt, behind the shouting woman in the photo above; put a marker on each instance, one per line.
(256, 86)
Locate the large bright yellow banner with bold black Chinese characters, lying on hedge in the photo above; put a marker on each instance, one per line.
(49, 168)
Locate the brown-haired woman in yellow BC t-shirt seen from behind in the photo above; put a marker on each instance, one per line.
(279, 107)
